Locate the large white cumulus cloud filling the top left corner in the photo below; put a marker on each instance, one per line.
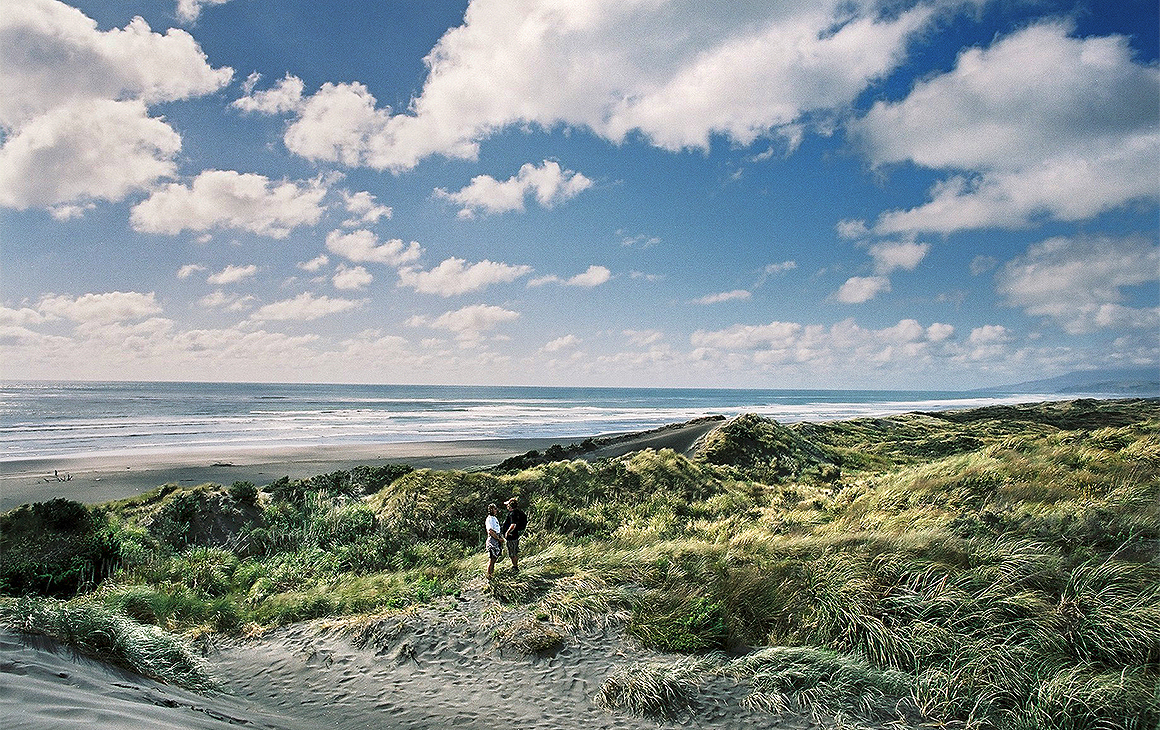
(75, 104)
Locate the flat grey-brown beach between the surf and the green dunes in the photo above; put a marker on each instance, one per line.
(100, 479)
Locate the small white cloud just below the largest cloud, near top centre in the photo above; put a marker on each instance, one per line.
(548, 184)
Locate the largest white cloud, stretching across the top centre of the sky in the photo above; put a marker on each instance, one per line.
(677, 74)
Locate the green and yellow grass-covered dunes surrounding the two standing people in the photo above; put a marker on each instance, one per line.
(995, 568)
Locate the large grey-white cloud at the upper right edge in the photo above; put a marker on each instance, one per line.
(1039, 125)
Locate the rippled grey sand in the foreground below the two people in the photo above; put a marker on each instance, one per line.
(436, 668)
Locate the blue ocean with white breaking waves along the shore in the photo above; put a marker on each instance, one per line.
(50, 420)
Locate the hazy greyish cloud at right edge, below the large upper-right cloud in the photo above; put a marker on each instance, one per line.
(1079, 283)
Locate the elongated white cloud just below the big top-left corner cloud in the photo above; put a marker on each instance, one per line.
(224, 199)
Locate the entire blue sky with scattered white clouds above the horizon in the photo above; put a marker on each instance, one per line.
(626, 193)
